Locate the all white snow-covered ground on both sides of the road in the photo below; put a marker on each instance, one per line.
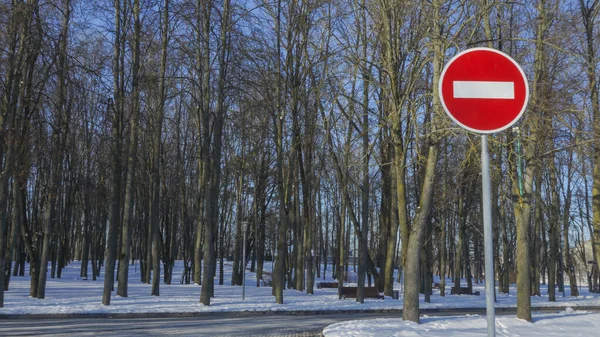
(73, 295)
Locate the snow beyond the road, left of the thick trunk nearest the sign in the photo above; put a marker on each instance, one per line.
(73, 295)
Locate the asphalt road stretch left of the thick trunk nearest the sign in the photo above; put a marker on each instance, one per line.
(272, 325)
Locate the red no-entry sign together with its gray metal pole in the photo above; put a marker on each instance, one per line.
(484, 91)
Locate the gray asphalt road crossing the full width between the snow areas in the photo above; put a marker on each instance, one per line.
(213, 325)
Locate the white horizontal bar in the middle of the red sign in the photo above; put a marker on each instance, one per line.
(484, 89)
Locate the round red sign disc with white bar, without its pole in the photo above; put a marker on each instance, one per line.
(483, 90)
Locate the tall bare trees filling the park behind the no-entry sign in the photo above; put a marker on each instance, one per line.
(150, 130)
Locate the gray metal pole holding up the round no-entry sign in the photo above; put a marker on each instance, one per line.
(487, 237)
